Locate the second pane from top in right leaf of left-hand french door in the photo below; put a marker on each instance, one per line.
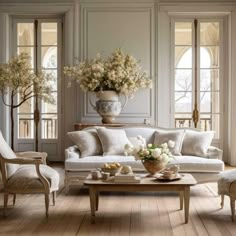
(49, 57)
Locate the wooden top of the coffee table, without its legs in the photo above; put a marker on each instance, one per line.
(186, 179)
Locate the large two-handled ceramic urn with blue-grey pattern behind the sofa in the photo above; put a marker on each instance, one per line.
(108, 105)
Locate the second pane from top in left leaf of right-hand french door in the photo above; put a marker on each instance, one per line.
(183, 57)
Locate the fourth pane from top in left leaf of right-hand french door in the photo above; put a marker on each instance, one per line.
(183, 101)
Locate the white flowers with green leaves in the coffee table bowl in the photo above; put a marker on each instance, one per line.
(151, 151)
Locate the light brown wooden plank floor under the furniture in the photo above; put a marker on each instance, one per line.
(120, 214)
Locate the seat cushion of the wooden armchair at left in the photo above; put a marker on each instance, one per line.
(26, 178)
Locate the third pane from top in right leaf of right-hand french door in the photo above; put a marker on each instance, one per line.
(209, 80)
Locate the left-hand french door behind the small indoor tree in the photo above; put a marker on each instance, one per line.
(41, 39)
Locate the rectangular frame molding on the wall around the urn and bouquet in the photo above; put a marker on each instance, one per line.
(89, 8)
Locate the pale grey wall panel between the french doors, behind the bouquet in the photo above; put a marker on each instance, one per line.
(107, 28)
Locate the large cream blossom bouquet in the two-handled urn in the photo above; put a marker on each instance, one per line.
(120, 73)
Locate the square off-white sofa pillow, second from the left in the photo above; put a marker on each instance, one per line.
(113, 141)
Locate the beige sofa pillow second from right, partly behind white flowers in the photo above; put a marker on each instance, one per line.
(163, 136)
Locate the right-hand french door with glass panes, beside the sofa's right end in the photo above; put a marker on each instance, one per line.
(197, 71)
